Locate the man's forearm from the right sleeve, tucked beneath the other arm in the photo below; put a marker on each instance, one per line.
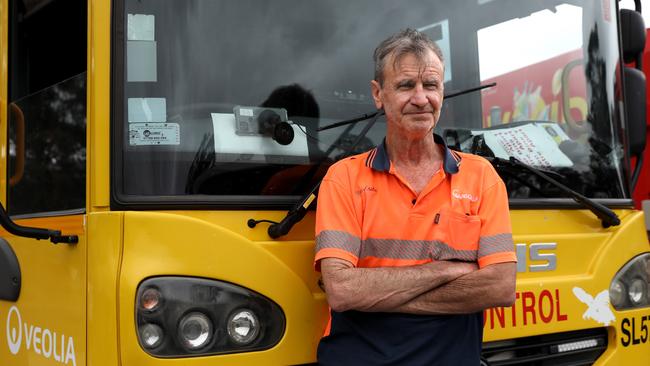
(488, 287)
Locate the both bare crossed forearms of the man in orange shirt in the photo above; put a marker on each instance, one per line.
(434, 288)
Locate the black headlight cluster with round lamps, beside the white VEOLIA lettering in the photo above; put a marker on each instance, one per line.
(179, 316)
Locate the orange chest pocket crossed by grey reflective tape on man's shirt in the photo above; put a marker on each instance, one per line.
(457, 236)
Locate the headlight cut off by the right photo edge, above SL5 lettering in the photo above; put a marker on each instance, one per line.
(629, 288)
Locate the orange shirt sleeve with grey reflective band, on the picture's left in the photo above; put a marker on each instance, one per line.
(338, 229)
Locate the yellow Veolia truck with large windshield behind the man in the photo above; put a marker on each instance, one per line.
(160, 160)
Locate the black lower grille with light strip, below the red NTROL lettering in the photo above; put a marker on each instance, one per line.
(574, 348)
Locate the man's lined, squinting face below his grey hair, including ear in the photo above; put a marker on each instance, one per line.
(411, 95)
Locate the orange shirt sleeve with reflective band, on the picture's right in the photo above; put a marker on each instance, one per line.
(495, 242)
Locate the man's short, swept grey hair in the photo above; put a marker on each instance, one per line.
(408, 41)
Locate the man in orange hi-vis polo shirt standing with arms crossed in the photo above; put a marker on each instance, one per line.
(413, 239)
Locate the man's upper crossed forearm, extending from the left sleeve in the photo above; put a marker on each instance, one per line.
(385, 288)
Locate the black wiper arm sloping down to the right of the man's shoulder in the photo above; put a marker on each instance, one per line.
(608, 217)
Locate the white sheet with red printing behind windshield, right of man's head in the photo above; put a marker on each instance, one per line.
(535, 144)
